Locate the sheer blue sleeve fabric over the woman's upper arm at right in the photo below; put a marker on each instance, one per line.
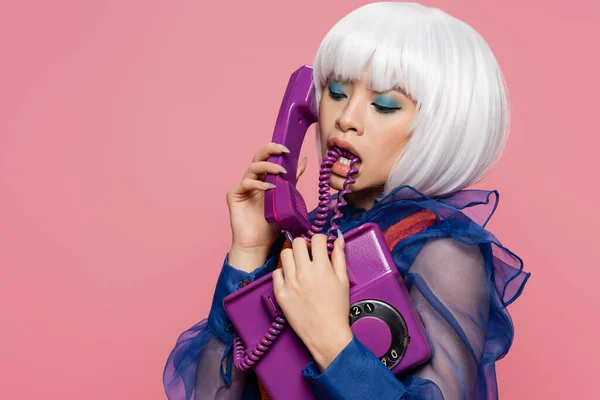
(450, 287)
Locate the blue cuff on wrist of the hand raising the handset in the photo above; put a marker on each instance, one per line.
(230, 280)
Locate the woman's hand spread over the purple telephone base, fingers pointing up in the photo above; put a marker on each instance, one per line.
(314, 296)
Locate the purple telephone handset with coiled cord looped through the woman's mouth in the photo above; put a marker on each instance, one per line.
(284, 205)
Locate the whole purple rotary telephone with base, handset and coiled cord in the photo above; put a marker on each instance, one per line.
(382, 315)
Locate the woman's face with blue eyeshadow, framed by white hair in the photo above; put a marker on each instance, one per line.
(371, 125)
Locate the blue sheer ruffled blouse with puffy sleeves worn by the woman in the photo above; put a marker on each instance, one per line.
(460, 277)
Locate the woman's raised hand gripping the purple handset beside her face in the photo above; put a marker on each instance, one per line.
(252, 235)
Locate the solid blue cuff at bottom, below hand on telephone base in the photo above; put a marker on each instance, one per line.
(354, 374)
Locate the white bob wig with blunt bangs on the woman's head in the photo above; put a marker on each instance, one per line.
(462, 116)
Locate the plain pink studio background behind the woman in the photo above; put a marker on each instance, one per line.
(123, 124)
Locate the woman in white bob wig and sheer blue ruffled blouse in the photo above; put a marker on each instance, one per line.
(419, 97)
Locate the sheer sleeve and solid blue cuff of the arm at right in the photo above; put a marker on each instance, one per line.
(450, 288)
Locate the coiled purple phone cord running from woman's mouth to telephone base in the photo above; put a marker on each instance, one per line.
(244, 361)
